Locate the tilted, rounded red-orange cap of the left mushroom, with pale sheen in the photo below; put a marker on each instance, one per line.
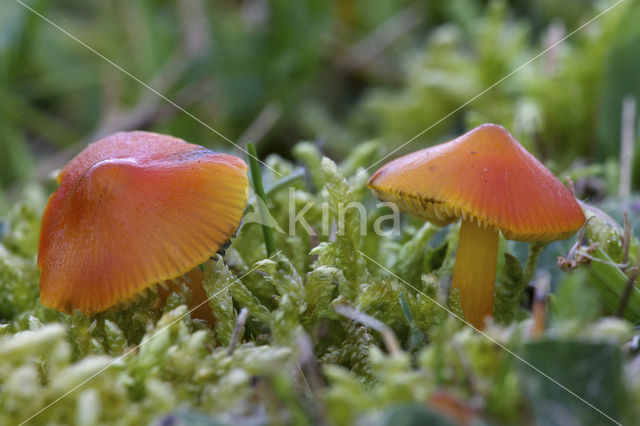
(134, 209)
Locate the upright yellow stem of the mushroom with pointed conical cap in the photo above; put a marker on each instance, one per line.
(475, 271)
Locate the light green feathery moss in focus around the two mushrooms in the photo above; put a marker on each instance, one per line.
(148, 361)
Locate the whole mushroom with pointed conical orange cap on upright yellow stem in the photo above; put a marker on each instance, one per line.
(490, 181)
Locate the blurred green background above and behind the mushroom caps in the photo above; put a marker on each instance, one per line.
(335, 72)
